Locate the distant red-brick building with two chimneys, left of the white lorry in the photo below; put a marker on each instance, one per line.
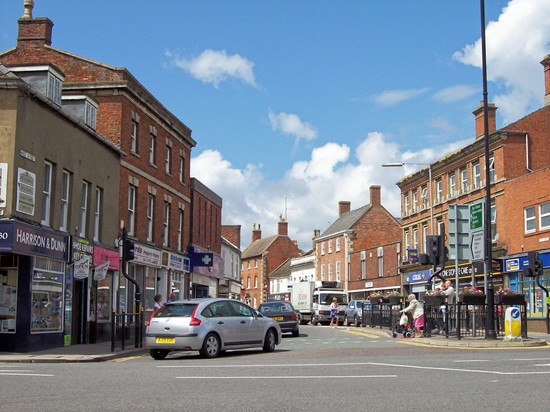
(261, 258)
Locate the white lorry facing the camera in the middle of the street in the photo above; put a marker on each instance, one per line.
(312, 300)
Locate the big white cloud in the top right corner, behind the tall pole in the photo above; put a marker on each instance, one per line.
(516, 43)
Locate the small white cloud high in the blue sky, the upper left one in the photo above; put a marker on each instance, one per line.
(216, 66)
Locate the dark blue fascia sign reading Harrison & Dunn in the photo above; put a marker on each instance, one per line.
(22, 238)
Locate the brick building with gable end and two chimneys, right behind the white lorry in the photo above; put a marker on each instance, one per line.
(361, 248)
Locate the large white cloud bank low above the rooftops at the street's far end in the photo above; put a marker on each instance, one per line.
(309, 192)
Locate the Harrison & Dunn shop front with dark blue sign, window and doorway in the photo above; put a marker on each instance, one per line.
(33, 286)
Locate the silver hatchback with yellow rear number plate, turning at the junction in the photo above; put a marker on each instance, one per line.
(209, 326)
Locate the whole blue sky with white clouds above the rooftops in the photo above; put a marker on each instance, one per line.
(296, 104)
